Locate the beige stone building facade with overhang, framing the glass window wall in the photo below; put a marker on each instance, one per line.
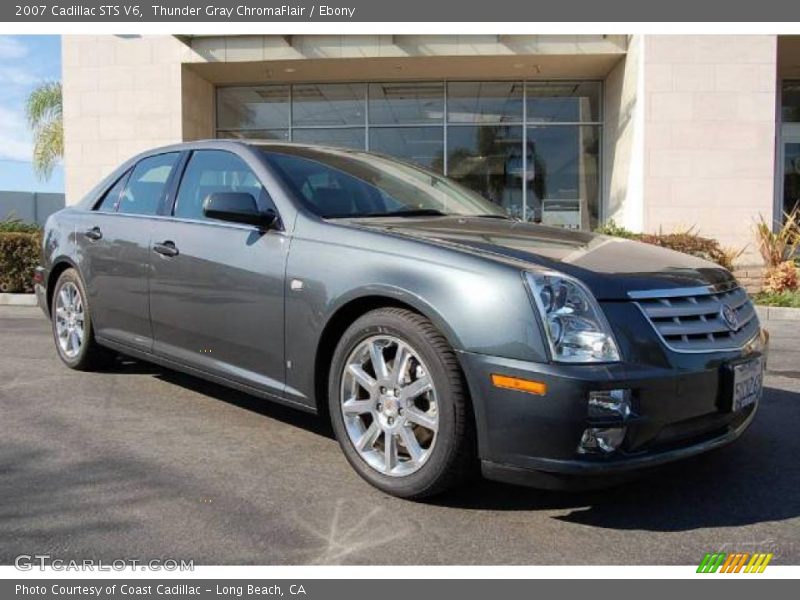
(689, 132)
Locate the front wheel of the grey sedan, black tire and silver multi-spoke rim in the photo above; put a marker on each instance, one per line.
(367, 408)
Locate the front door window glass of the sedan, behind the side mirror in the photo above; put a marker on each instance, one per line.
(211, 171)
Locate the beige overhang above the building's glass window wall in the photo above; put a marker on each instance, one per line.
(226, 60)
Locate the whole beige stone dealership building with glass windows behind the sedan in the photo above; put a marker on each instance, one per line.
(658, 132)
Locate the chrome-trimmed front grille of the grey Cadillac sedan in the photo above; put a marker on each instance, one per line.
(691, 319)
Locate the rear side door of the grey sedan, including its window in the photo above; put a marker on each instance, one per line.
(115, 243)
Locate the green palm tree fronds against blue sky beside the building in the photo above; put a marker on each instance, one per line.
(44, 114)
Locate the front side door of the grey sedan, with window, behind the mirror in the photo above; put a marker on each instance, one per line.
(216, 294)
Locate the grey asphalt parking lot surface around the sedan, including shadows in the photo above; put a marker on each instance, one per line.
(141, 462)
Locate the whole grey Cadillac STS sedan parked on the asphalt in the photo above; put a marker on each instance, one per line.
(436, 333)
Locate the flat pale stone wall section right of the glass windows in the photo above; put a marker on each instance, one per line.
(710, 135)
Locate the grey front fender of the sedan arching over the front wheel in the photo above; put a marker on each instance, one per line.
(479, 306)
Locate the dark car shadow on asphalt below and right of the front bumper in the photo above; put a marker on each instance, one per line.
(754, 480)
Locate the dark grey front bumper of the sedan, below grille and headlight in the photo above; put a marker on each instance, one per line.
(533, 440)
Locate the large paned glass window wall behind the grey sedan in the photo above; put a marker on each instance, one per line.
(531, 147)
